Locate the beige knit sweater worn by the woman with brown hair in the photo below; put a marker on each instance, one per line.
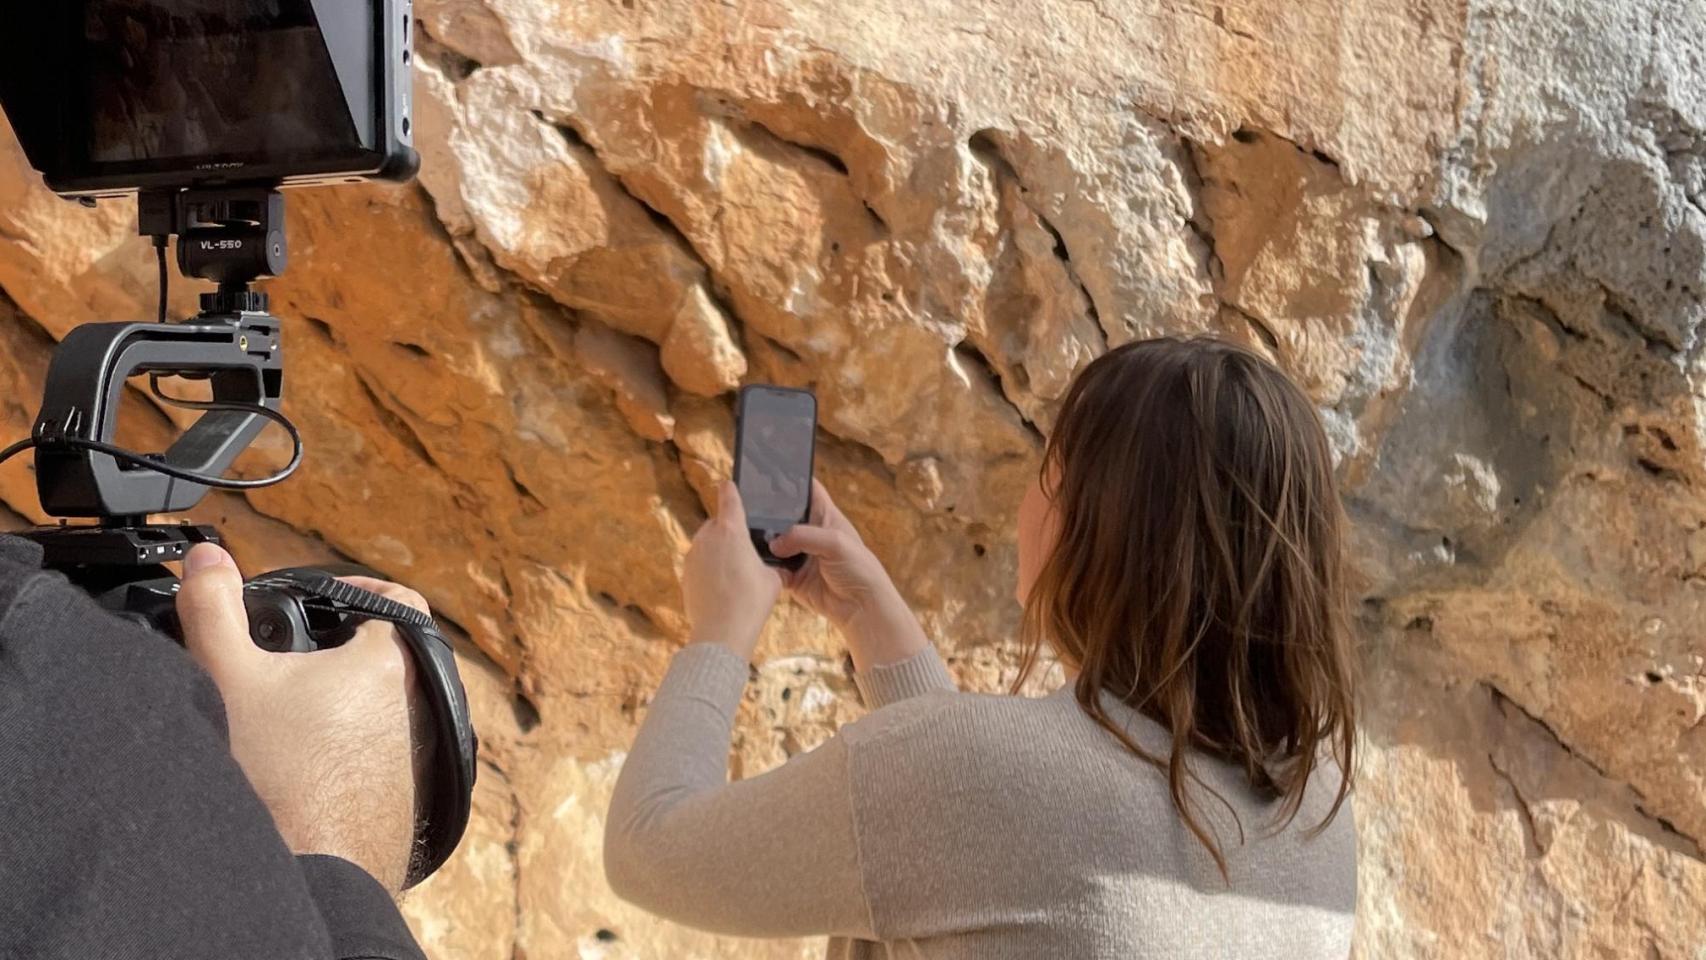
(961, 826)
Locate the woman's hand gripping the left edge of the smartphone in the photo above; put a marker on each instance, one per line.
(726, 587)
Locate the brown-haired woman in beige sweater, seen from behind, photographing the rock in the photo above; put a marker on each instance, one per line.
(1183, 795)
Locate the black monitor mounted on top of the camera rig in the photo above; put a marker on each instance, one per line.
(117, 96)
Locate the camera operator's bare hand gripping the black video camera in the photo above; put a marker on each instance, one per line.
(325, 737)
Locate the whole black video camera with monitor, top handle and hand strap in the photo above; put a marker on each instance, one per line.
(206, 110)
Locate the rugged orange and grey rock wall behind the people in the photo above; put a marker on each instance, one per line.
(1477, 231)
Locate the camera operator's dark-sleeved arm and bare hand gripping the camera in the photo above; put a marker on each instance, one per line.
(214, 801)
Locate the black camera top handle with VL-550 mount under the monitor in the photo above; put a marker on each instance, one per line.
(231, 236)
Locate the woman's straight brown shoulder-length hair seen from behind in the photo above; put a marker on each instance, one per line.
(1198, 570)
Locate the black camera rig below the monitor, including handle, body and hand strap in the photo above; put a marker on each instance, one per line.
(233, 238)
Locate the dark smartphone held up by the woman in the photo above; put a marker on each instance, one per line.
(775, 442)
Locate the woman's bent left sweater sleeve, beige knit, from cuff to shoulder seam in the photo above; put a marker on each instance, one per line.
(767, 857)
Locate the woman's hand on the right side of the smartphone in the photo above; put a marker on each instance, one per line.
(847, 584)
